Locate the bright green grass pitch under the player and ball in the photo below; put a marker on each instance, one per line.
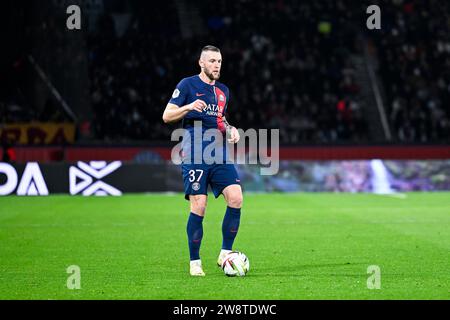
(300, 246)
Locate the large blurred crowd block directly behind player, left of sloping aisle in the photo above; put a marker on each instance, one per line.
(274, 65)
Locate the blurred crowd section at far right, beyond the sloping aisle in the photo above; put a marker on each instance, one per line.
(414, 53)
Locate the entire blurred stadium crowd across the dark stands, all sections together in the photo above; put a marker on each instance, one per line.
(287, 63)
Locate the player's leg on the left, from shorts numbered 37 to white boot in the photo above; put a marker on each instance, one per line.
(195, 188)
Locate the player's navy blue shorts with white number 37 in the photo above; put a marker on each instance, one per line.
(197, 177)
